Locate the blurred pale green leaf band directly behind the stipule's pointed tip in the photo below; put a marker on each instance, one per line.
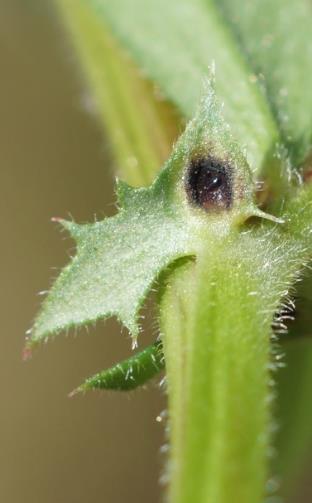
(174, 43)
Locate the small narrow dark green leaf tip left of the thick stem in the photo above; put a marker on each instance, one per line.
(128, 374)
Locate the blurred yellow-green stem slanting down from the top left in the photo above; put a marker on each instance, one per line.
(141, 128)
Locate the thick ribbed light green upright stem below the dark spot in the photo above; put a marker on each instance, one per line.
(218, 382)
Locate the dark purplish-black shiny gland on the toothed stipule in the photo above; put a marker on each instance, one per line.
(209, 184)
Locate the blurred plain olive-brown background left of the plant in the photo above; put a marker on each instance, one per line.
(101, 447)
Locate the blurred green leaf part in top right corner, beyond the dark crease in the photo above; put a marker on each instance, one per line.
(276, 38)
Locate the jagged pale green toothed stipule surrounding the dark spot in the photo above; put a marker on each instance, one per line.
(119, 258)
